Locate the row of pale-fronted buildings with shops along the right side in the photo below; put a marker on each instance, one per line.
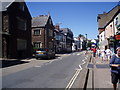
(108, 27)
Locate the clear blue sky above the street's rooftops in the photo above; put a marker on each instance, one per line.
(80, 17)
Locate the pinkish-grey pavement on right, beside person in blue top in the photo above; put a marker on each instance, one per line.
(99, 75)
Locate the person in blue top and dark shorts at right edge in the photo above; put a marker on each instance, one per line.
(115, 68)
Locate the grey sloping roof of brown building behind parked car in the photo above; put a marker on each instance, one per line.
(40, 21)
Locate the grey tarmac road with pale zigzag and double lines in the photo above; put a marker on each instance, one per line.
(58, 73)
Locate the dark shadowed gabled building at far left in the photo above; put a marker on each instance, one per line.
(16, 30)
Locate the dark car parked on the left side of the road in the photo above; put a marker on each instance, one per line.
(45, 53)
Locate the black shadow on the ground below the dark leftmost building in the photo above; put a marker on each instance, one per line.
(7, 63)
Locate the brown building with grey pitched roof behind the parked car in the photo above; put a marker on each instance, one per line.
(42, 32)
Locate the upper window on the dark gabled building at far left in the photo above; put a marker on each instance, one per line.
(21, 24)
